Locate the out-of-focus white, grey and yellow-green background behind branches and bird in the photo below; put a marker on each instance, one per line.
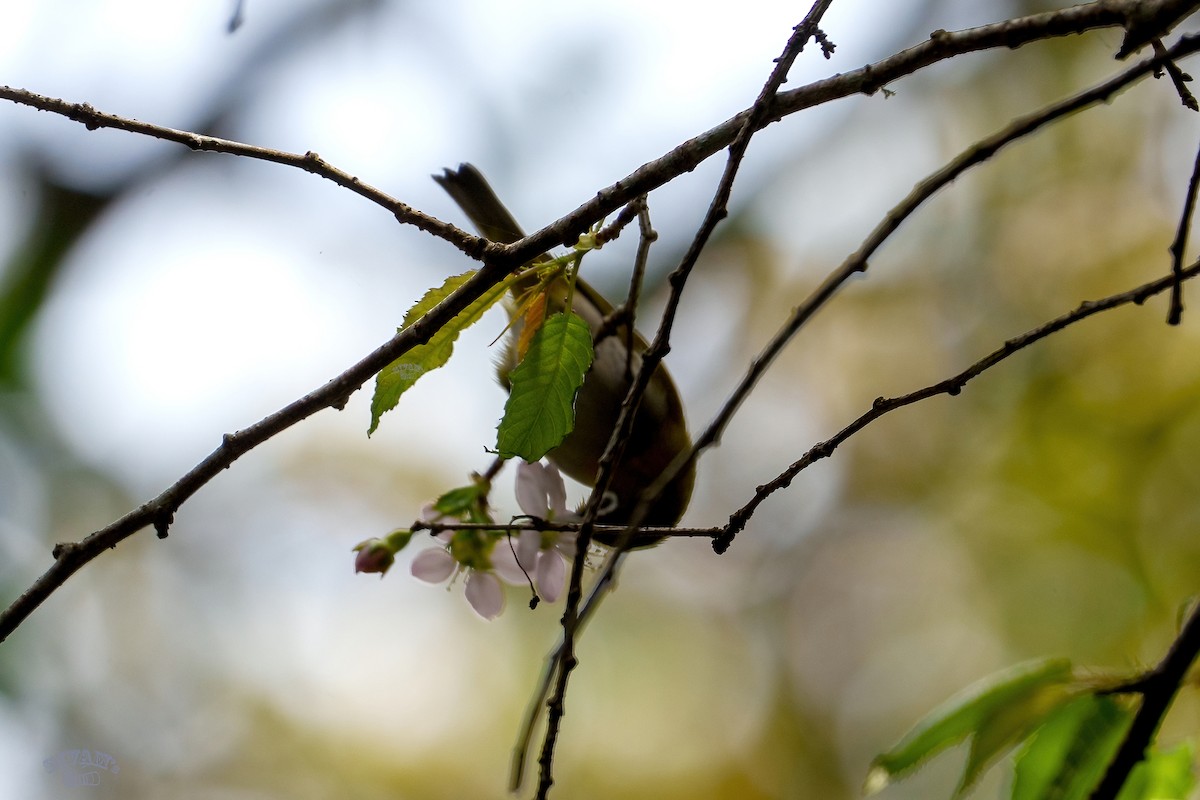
(153, 299)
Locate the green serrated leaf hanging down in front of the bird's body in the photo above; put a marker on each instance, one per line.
(541, 411)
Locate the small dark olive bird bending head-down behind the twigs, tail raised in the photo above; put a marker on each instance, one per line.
(659, 431)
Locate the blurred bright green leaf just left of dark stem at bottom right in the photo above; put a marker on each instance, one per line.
(1067, 756)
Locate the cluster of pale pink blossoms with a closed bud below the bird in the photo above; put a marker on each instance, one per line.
(488, 557)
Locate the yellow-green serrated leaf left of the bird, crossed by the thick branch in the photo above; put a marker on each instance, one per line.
(400, 376)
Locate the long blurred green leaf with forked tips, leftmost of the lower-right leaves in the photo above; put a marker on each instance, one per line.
(999, 712)
